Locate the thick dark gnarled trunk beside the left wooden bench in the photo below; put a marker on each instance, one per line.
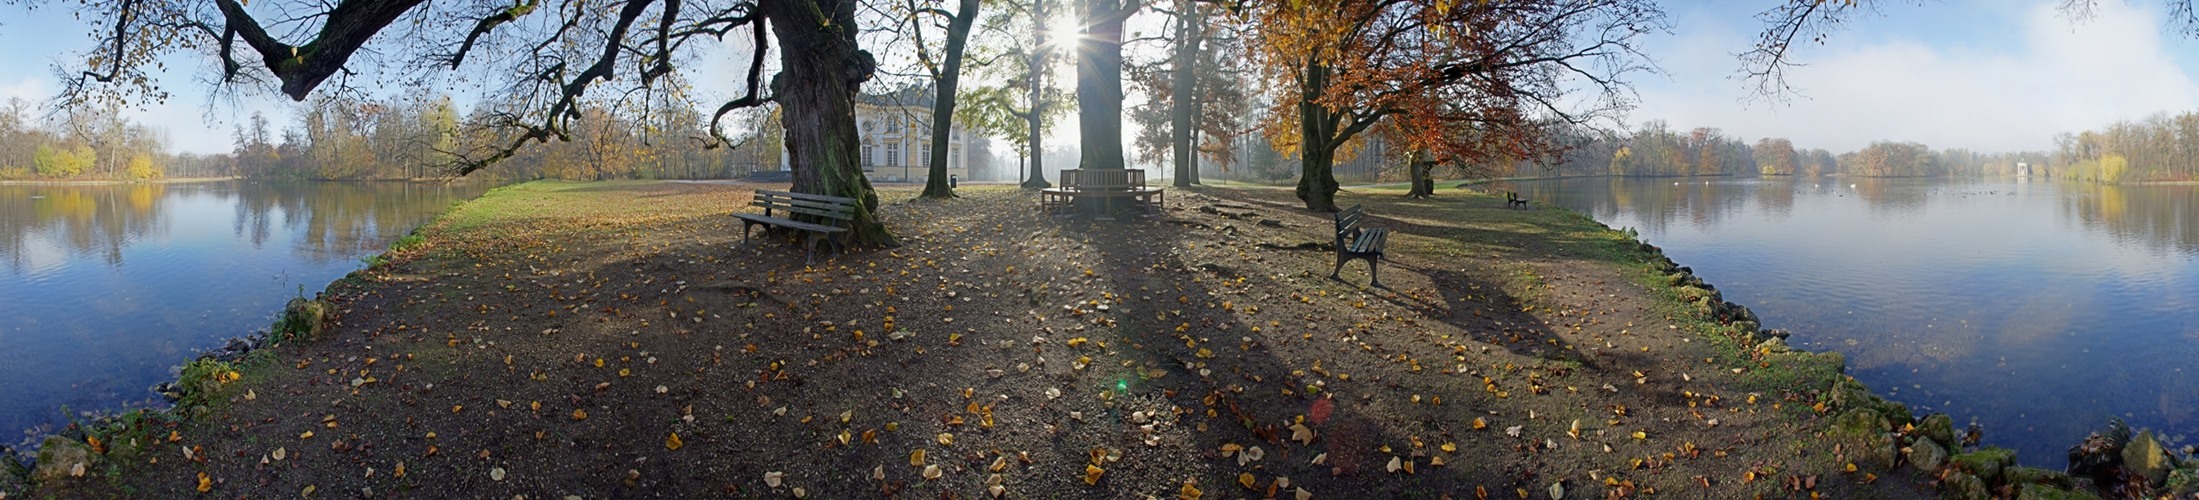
(817, 94)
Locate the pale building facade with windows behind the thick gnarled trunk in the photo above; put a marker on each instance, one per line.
(896, 138)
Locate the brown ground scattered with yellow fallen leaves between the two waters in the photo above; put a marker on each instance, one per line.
(621, 340)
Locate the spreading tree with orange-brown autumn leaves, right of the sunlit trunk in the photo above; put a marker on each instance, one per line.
(1496, 72)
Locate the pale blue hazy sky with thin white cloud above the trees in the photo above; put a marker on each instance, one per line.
(1989, 76)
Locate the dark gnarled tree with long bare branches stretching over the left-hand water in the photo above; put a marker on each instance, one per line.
(542, 56)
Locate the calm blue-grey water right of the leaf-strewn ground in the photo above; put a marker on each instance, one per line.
(2040, 309)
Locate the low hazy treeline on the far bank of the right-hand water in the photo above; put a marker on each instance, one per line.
(1659, 151)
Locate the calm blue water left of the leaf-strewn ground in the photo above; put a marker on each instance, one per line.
(104, 290)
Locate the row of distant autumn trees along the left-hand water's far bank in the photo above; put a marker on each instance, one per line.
(349, 140)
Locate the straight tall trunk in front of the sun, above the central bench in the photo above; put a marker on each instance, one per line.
(1101, 85)
